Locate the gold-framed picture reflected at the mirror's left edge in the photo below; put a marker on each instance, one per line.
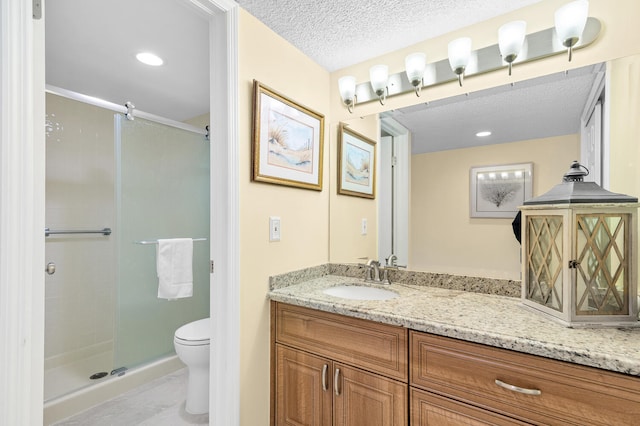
(356, 164)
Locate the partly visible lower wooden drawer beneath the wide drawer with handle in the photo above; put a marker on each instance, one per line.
(428, 409)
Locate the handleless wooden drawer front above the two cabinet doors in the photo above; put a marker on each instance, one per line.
(379, 348)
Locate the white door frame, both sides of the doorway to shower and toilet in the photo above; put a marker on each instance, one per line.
(22, 197)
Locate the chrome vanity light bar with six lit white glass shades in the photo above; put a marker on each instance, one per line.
(513, 44)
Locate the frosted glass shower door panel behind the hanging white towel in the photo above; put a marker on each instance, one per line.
(162, 192)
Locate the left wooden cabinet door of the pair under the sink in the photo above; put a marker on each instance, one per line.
(304, 385)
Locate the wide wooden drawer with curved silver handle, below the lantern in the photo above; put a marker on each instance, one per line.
(569, 394)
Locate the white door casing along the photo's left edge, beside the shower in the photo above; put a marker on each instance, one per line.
(22, 177)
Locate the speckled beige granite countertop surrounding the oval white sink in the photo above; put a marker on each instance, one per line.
(490, 319)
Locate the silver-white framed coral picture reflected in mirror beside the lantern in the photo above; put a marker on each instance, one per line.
(498, 191)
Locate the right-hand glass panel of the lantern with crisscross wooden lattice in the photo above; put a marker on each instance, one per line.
(602, 286)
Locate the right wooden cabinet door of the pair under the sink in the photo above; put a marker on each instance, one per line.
(365, 399)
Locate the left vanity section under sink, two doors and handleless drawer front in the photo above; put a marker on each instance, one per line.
(335, 370)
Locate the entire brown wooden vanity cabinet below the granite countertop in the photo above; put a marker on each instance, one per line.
(330, 369)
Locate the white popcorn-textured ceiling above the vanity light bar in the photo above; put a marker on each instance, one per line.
(339, 33)
